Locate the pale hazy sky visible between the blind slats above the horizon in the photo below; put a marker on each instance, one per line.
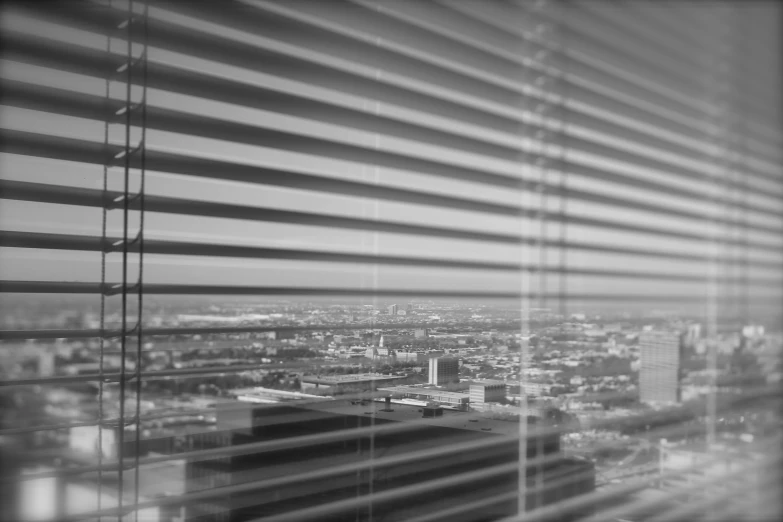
(72, 266)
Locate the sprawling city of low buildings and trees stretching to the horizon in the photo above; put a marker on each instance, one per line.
(626, 396)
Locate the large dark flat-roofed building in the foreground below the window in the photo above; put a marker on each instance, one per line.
(274, 477)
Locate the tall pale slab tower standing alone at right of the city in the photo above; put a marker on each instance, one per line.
(659, 371)
